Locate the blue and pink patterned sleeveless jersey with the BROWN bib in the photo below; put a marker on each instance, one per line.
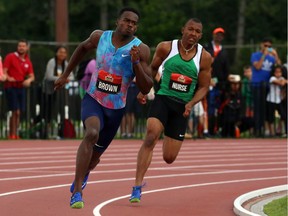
(114, 72)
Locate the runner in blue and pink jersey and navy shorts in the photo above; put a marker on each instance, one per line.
(120, 56)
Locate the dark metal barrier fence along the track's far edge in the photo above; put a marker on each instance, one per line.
(45, 114)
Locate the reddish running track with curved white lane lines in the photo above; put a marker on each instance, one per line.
(206, 178)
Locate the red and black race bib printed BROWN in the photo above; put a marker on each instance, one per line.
(108, 83)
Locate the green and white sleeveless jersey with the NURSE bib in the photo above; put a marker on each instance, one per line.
(179, 76)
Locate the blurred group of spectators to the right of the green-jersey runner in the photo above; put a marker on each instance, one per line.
(254, 105)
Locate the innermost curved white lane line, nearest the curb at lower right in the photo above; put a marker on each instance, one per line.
(97, 209)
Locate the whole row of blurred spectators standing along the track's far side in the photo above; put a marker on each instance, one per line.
(251, 103)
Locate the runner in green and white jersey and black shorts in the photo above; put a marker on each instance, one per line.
(185, 65)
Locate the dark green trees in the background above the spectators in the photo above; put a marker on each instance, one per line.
(246, 22)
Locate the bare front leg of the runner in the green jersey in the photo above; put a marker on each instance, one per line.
(154, 129)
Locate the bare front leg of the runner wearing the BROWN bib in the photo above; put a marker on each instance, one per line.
(86, 159)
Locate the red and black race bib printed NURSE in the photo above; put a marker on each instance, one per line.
(180, 83)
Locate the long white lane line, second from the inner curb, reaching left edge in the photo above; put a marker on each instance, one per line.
(132, 178)
